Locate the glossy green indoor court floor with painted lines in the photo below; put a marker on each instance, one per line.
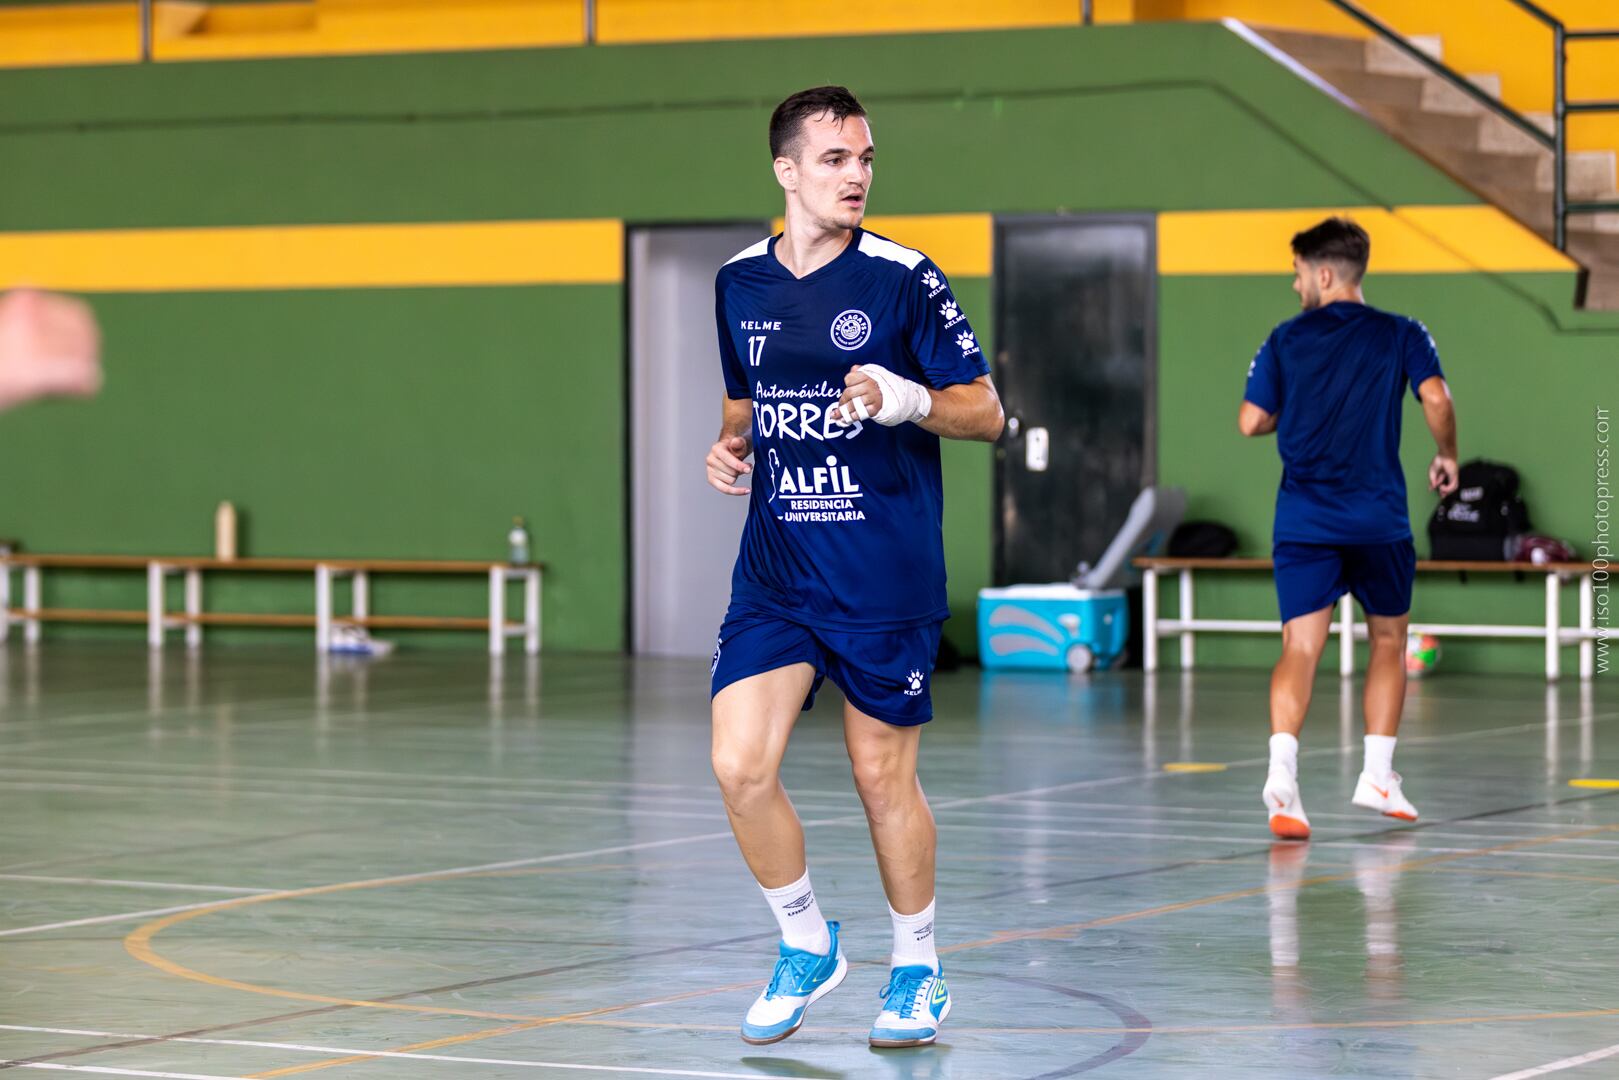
(250, 865)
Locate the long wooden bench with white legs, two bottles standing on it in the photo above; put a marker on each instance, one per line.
(33, 614)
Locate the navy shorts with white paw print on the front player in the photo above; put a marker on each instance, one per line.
(886, 674)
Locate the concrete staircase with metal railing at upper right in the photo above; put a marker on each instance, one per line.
(1472, 143)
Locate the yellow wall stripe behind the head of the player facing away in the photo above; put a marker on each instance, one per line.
(1404, 240)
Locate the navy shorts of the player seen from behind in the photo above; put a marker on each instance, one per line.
(1311, 577)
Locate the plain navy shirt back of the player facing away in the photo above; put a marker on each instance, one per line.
(1335, 378)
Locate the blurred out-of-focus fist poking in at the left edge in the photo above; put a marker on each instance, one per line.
(49, 346)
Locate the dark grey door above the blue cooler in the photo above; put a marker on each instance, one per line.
(1076, 315)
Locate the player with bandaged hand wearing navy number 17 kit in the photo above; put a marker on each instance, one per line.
(846, 360)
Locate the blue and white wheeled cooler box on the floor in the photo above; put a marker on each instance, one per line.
(1052, 627)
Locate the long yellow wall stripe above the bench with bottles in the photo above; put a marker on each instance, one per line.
(317, 257)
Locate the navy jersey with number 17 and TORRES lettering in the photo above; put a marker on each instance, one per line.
(844, 524)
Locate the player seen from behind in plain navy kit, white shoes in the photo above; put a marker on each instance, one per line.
(1330, 385)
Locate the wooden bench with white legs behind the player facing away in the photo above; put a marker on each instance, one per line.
(1188, 626)
